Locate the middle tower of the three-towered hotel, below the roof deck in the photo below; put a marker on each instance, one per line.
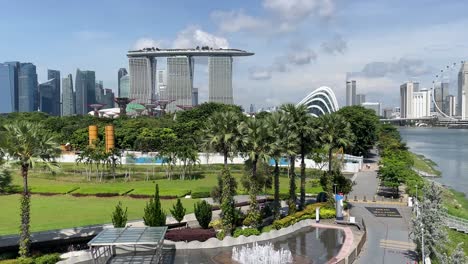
(179, 81)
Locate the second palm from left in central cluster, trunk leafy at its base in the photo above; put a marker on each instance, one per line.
(256, 146)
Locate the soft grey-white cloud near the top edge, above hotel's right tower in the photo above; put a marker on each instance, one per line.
(237, 20)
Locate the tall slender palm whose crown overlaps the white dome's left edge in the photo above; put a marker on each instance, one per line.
(300, 124)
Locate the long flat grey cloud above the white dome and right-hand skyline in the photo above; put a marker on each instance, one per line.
(407, 66)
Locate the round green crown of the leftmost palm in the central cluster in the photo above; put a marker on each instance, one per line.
(221, 133)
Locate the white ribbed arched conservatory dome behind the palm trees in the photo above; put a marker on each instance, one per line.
(321, 101)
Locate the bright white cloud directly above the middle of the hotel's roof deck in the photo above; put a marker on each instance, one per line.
(193, 36)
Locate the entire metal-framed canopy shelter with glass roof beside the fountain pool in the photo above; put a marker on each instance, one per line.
(103, 246)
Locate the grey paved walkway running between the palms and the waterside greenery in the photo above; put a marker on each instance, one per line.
(387, 238)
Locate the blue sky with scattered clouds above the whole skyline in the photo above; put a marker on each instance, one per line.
(299, 44)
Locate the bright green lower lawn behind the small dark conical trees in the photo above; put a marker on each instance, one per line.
(64, 211)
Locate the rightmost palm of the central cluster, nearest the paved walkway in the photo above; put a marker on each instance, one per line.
(335, 132)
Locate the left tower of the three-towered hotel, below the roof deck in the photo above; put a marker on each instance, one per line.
(142, 79)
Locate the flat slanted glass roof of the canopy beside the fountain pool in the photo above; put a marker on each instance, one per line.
(129, 236)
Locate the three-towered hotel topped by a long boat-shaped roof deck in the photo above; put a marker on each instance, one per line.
(180, 69)
